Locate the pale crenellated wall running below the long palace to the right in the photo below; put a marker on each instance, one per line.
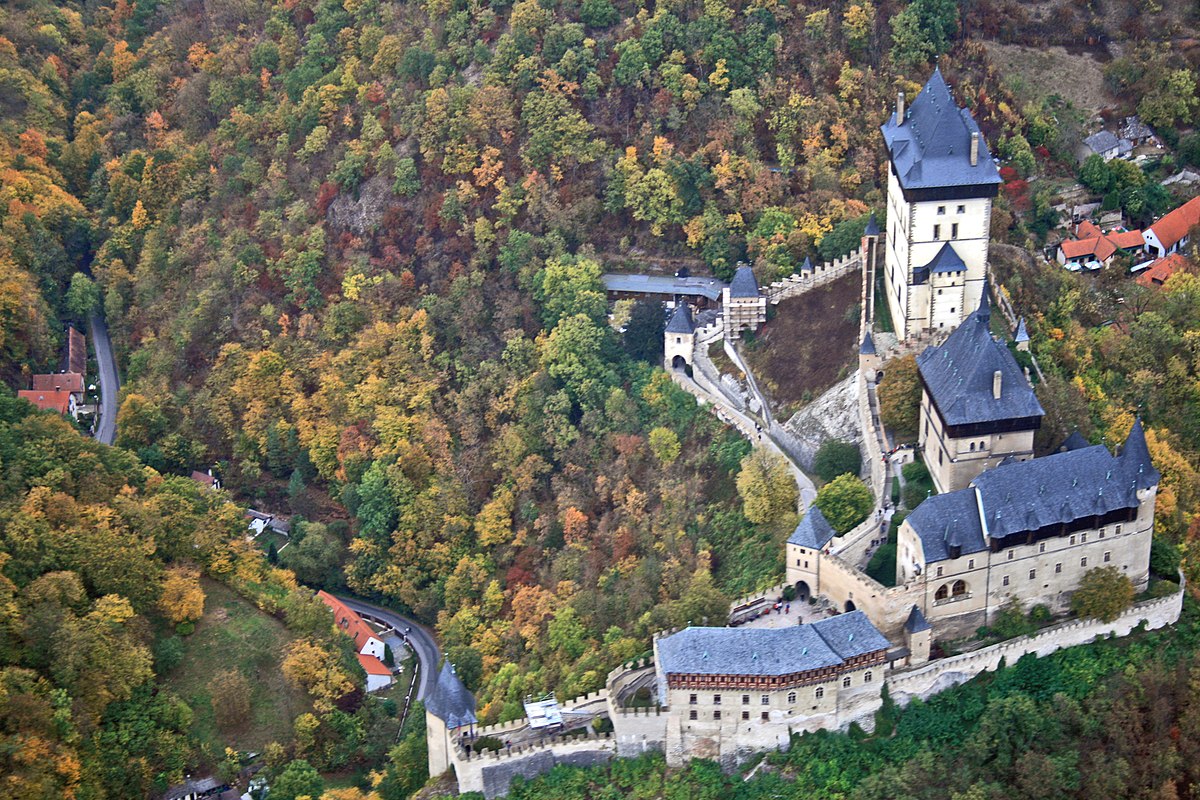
(938, 676)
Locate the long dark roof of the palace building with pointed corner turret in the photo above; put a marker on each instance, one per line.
(1028, 496)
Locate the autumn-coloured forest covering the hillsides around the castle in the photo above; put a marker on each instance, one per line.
(351, 254)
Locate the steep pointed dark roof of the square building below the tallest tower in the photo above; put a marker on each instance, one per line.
(959, 375)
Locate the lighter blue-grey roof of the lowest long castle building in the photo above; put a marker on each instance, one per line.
(770, 652)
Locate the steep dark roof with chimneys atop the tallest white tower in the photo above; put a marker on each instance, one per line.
(932, 147)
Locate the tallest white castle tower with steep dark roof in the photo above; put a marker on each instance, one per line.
(941, 182)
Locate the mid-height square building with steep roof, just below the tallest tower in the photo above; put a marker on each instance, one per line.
(977, 407)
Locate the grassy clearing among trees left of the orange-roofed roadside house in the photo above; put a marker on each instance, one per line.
(235, 634)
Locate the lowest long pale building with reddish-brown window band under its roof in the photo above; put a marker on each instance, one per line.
(731, 691)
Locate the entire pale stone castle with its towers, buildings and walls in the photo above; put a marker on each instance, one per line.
(1005, 527)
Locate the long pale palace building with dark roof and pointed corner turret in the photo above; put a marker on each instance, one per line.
(1029, 532)
